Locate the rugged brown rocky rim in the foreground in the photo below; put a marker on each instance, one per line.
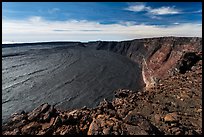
(172, 107)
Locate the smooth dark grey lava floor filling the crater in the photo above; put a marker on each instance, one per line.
(65, 75)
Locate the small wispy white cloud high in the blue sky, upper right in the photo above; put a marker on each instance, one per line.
(154, 11)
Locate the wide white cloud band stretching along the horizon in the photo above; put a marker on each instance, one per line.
(38, 29)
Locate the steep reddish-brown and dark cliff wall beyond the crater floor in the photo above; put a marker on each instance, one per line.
(159, 57)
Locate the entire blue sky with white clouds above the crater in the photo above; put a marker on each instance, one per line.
(92, 21)
